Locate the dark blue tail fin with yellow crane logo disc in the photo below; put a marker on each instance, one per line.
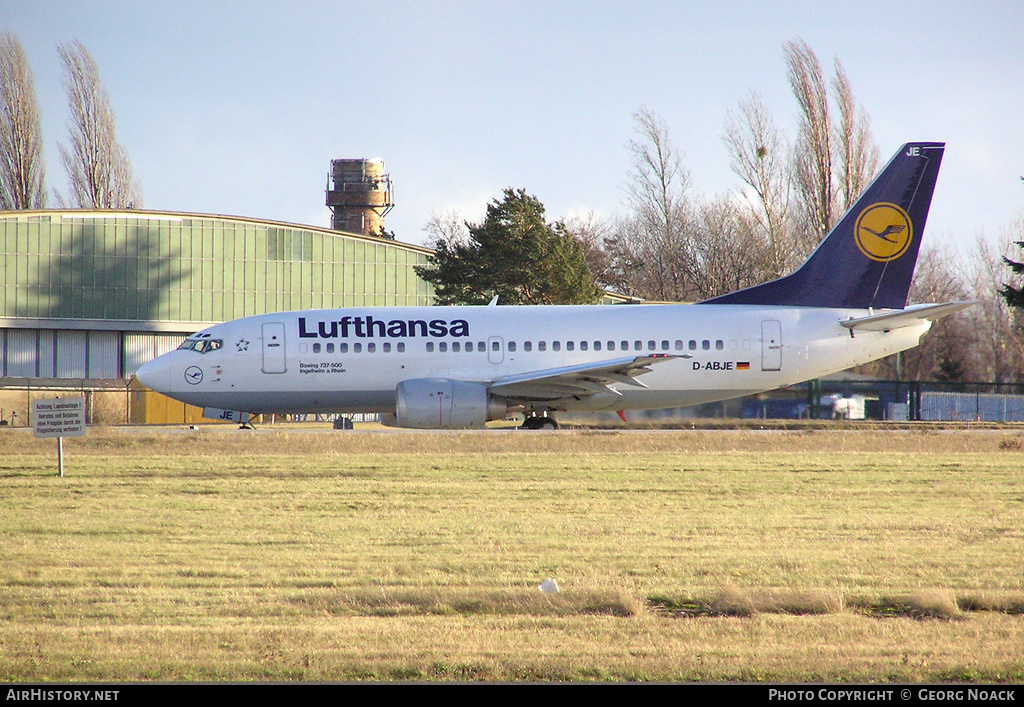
(868, 260)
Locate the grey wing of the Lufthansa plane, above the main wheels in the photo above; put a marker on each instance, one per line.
(577, 382)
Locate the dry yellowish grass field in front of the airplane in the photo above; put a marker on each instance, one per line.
(681, 556)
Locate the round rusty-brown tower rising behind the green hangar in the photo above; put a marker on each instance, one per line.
(359, 194)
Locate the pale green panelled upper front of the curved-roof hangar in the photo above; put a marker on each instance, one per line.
(156, 271)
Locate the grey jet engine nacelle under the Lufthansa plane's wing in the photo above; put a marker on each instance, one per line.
(444, 404)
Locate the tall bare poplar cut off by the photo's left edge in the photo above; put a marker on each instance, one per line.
(22, 168)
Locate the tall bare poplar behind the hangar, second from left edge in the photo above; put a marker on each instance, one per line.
(99, 171)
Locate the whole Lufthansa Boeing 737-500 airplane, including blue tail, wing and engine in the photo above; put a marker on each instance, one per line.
(461, 367)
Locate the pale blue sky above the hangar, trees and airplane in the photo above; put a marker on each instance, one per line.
(238, 108)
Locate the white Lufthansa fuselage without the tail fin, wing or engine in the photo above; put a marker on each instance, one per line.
(331, 361)
